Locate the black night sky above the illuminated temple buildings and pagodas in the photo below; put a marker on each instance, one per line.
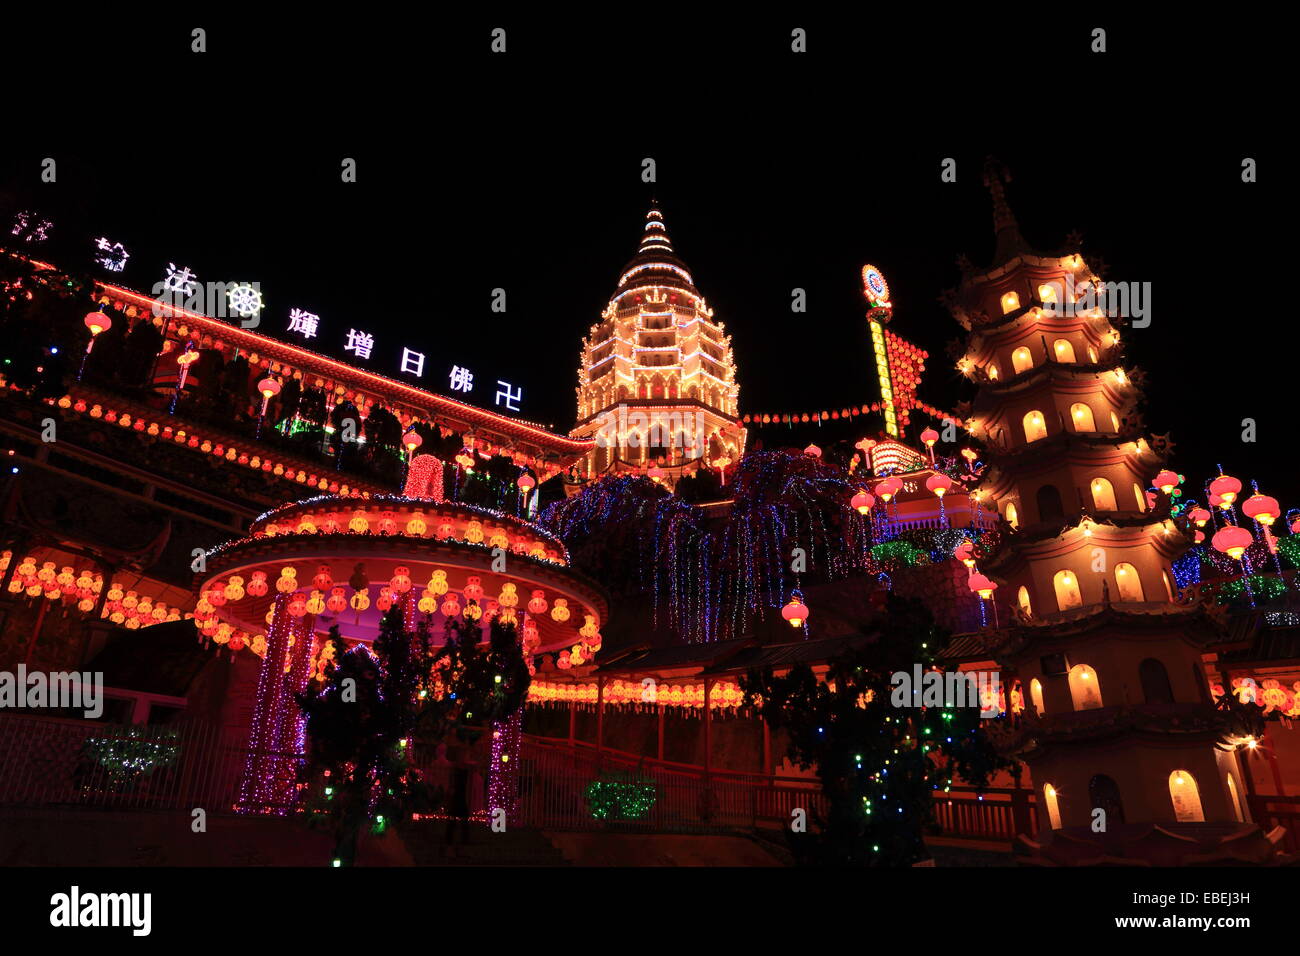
(774, 172)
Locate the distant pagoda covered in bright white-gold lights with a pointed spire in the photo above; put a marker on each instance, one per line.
(657, 386)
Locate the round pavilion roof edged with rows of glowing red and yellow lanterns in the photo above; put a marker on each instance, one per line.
(363, 552)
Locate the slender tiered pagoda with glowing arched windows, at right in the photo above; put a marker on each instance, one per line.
(1117, 710)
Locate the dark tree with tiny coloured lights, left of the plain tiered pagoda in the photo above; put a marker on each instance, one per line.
(879, 764)
